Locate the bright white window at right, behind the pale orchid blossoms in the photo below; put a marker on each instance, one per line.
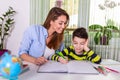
(105, 12)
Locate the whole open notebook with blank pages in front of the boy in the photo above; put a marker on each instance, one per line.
(82, 67)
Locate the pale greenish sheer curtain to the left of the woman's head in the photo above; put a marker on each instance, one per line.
(38, 11)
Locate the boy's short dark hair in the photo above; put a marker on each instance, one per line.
(81, 33)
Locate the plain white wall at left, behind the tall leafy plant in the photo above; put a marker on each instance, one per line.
(21, 21)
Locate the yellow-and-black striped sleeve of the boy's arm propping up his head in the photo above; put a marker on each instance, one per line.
(91, 56)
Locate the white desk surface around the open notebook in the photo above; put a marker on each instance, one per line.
(33, 75)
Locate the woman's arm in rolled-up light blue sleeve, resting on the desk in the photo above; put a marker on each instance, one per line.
(30, 45)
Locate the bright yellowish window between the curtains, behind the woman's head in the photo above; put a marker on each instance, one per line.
(71, 6)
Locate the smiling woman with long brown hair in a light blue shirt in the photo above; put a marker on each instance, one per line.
(39, 42)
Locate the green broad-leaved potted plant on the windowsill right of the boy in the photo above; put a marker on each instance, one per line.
(103, 33)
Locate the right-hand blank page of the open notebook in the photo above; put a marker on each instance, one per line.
(82, 67)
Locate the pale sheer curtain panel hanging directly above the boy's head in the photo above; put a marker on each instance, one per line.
(83, 13)
